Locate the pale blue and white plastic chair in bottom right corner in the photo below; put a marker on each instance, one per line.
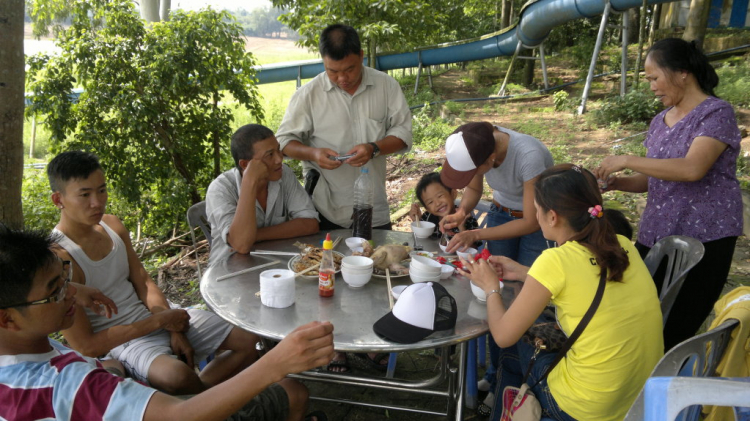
(666, 397)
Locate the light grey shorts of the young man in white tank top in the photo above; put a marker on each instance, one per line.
(207, 331)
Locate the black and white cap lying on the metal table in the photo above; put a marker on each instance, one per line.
(422, 309)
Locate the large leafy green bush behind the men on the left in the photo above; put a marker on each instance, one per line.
(153, 107)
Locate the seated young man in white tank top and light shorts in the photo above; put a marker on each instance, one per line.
(156, 344)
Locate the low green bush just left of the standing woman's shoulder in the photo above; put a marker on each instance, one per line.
(635, 106)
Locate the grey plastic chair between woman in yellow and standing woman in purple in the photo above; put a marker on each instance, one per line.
(682, 254)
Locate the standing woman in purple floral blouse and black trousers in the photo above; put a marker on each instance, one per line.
(689, 174)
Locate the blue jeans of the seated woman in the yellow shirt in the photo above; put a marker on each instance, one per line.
(514, 362)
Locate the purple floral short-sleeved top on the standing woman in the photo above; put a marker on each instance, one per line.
(708, 209)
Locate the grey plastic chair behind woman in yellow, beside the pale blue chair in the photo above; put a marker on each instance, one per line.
(695, 357)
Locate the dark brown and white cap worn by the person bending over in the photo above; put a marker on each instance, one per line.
(466, 148)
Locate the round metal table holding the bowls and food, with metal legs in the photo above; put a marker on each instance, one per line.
(352, 311)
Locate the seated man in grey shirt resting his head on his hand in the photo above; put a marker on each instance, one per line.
(260, 199)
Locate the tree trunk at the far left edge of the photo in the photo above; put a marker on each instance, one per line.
(12, 77)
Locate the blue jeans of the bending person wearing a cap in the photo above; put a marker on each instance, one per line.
(524, 250)
